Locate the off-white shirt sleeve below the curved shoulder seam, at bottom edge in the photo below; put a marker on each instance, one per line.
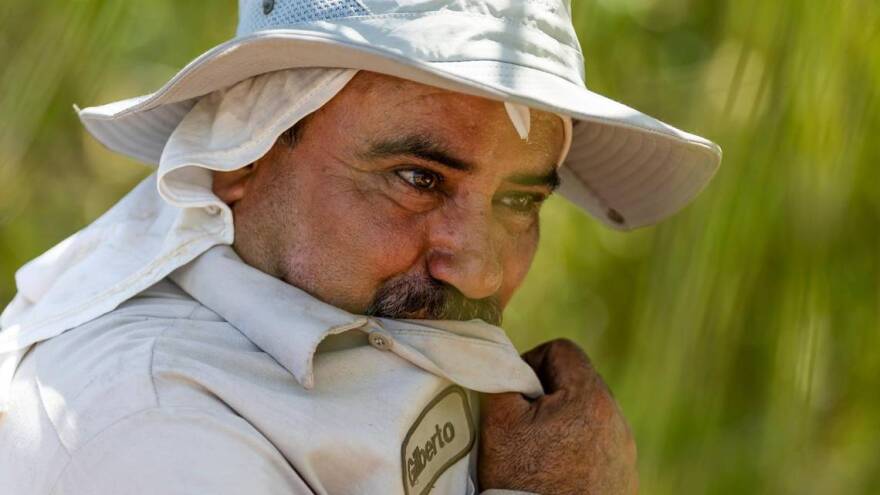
(177, 452)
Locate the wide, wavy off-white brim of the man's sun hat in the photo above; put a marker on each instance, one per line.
(625, 168)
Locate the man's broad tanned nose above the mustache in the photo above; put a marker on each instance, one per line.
(462, 251)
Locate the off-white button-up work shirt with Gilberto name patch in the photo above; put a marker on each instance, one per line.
(225, 380)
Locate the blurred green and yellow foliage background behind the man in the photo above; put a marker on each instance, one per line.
(742, 338)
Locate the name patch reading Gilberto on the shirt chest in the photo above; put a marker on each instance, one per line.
(442, 434)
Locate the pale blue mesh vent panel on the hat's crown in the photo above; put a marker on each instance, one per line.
(252, 16)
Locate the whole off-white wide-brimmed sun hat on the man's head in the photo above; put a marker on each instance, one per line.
(624, 167)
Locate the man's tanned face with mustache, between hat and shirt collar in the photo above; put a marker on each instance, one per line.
(400, 200)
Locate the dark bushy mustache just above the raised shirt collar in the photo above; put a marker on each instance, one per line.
(417, 297)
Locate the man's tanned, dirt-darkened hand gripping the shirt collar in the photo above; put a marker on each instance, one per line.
(574, 440)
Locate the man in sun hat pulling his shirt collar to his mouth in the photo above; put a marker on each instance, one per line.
(381, 165)
